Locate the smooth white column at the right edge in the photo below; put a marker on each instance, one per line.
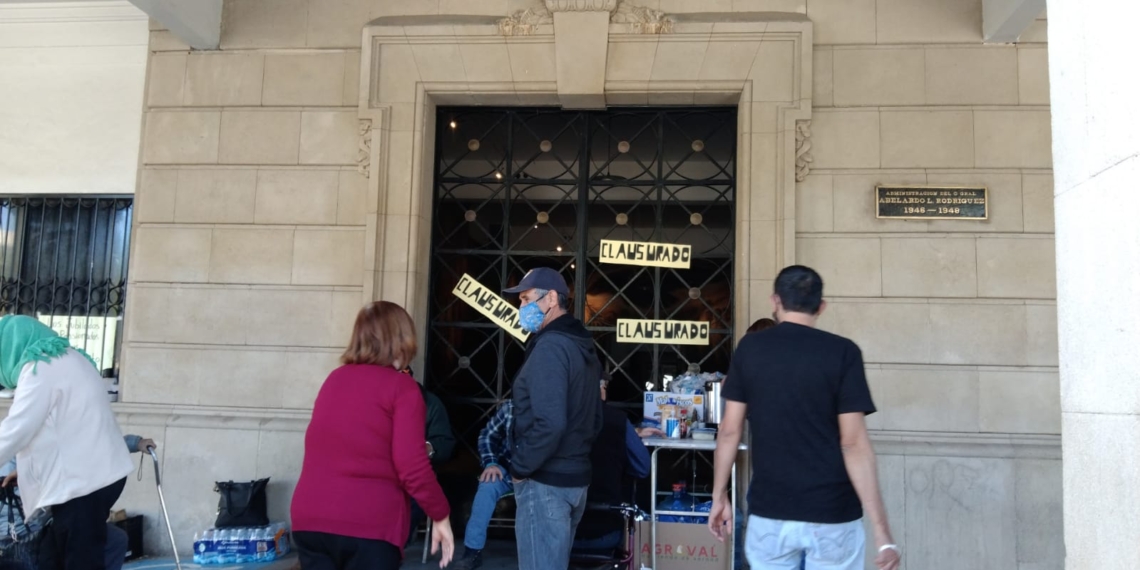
(1097, 197)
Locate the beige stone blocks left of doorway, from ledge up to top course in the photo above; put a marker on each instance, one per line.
(250, 229)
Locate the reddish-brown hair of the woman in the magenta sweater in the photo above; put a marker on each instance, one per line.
(384, 336)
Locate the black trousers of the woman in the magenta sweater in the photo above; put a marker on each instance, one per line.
(323, 551)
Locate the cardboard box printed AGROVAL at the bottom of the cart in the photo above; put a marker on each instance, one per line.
(682, 547)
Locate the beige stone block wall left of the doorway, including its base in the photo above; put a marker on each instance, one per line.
(248, 264)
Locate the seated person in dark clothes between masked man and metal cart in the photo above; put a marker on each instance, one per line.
(618, 454)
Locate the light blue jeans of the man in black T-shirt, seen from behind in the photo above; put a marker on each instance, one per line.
(792, 545)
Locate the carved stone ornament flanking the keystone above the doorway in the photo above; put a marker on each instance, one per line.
(641, 20)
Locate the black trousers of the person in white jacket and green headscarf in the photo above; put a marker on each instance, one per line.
(78, 534)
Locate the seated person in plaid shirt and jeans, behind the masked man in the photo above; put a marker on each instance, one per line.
(495, 455)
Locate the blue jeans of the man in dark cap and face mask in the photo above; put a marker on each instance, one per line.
(545, 524)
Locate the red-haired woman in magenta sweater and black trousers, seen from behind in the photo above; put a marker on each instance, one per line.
(364, 455)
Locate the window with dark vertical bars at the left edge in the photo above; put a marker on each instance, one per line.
(63, 260)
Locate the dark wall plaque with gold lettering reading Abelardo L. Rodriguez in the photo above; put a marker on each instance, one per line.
(932, 203)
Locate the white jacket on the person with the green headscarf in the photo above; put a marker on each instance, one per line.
(63, 434)
